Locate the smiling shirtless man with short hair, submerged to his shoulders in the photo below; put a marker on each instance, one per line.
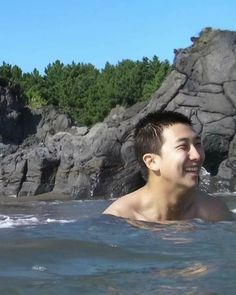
(171, 150)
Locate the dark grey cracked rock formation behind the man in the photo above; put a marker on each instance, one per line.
(41, 151)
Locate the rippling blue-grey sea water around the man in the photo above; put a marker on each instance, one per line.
(70, 248)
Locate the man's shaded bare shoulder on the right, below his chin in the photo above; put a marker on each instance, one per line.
(213, 209)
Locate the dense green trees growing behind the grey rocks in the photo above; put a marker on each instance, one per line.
(86, 93)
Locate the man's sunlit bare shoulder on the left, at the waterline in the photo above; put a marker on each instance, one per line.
(123, 206)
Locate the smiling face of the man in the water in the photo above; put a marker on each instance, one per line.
(181, 156)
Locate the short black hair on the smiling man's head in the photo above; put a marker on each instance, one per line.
(148, 132)
